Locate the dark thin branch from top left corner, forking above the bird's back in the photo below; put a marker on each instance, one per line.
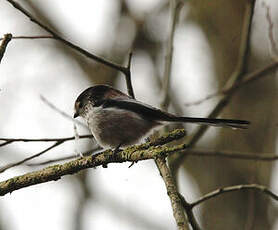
(124, 70)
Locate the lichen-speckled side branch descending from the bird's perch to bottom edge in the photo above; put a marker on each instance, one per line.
(172, 192)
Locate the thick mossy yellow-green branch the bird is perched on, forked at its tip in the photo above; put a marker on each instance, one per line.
(145, 151)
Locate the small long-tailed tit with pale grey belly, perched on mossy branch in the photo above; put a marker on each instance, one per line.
(115, 119)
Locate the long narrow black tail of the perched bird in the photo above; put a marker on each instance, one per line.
(238, 124)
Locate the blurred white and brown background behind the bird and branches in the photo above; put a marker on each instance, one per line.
(206, 48)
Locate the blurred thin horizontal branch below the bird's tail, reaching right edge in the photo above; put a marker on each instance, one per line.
(232, 155)
